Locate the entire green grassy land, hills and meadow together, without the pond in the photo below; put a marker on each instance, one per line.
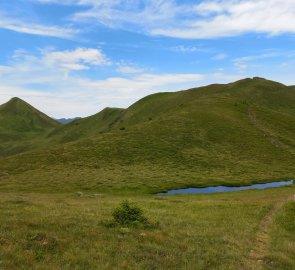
(52, 216)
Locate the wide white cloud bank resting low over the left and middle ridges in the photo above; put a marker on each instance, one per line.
(38, 80)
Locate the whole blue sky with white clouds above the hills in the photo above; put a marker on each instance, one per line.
(73, 58)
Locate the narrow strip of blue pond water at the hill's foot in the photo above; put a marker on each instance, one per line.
(225, 188)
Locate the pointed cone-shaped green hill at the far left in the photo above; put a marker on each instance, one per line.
(21, 125)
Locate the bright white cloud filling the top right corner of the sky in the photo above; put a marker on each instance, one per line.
(231, 17)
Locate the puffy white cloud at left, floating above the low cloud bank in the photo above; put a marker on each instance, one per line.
(51, 64)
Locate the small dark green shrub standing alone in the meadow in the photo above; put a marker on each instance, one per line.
(129, 215)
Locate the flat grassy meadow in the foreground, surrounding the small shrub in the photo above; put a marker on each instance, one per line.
(67, 231)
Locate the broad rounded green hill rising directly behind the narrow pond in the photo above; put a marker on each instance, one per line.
(236, 133)
